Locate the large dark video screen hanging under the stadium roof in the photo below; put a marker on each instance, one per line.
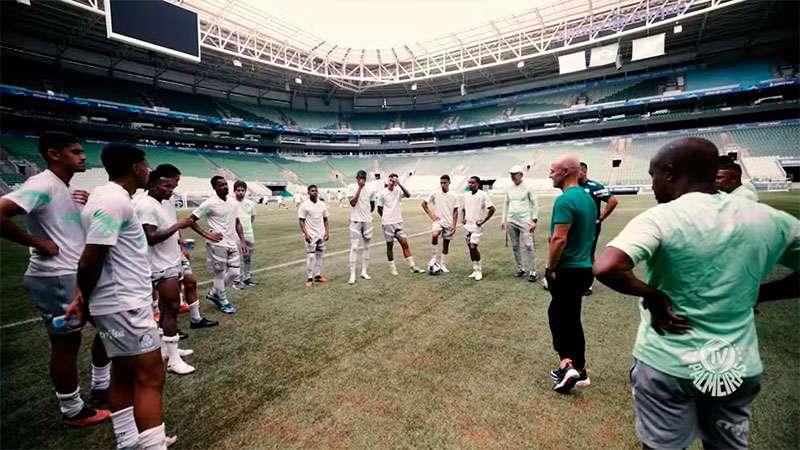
(156, 25)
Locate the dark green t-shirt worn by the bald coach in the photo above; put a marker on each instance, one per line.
(576, 208)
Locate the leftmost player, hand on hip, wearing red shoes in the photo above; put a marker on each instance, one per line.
(55, 236)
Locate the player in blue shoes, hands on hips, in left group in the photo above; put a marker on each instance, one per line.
(224, 242)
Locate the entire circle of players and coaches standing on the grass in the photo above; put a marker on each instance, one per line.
(103, 257)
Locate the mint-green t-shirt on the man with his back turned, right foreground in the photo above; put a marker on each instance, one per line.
(708, 253)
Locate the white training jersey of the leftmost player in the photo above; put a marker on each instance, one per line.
(51, 214)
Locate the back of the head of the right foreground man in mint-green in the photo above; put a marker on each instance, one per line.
(682, 166)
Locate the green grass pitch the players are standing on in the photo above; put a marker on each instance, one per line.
(405, 361)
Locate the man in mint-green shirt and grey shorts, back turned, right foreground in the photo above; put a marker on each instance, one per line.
(697, 364)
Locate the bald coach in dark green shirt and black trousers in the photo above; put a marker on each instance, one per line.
(569, 271)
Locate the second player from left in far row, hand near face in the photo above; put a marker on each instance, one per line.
(362, 202)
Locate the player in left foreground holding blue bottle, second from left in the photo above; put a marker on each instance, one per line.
(114, 279)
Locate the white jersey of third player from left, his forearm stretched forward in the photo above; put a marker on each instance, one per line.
(150, 211)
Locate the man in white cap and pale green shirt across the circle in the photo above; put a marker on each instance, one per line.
(520, 215)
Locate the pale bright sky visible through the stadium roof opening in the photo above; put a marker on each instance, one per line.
(388, 23)
